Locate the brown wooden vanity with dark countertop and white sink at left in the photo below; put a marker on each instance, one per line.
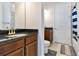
(19, 45)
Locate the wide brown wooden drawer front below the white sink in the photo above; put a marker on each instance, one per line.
(9, 47)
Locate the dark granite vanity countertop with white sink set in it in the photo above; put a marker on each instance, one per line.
(6, 38)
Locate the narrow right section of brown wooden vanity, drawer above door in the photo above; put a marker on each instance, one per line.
(31, 46)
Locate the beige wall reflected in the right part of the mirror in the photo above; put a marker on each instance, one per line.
(20, 15)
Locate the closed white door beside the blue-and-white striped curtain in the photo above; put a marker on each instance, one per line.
(62, 23)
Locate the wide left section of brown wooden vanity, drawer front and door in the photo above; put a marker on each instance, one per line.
(13, 48)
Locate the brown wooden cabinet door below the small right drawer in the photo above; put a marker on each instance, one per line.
(31, 49)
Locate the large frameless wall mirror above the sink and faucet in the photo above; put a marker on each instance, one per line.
(8, 20)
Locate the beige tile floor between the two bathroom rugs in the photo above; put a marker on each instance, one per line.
(56, 47)
